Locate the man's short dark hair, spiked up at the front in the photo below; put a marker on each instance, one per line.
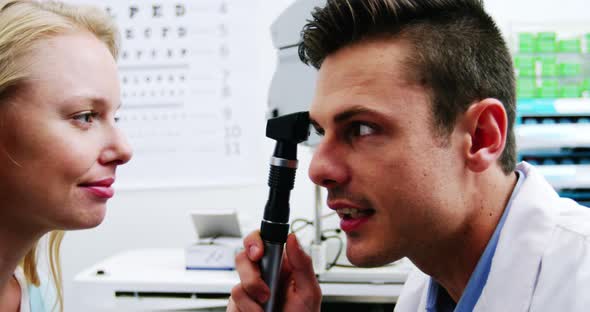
(459, 53)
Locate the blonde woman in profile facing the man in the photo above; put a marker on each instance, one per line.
(59, 145)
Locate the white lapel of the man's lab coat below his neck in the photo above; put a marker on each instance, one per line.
(517, 260)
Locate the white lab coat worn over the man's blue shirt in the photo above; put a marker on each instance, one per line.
(542, 260)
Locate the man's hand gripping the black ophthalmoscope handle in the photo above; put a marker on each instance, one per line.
(300, 290)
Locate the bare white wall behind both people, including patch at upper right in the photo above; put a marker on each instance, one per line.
(159, 218)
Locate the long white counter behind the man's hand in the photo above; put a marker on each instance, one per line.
(155, 279)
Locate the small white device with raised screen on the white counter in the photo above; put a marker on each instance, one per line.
(219, 240)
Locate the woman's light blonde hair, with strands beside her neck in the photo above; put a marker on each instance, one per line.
(22, 24)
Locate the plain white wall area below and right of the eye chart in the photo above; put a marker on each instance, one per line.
(160, 218)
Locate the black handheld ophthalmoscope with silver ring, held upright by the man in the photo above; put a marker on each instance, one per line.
(288, 131)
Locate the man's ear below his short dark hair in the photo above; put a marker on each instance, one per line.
(485, 125)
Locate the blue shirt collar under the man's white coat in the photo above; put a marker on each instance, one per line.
(438, 300)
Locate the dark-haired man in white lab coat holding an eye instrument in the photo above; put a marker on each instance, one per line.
(415, 101)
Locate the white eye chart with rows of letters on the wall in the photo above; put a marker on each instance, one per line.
(188, 72)
